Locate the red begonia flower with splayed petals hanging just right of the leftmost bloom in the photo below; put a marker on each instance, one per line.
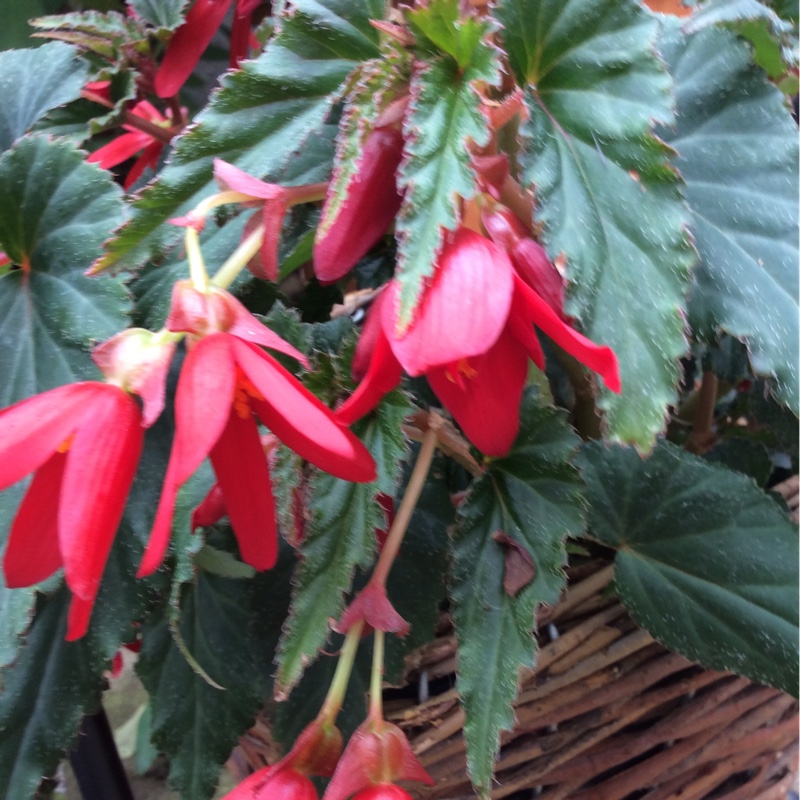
(226, 379)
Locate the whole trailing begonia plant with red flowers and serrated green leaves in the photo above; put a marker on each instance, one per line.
(424, 297)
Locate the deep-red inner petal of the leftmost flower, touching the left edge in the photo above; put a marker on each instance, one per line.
(32, 553)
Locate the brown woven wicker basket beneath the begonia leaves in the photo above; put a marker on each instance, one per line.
(608, 714)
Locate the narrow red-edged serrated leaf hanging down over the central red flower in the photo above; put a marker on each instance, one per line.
(443, 119)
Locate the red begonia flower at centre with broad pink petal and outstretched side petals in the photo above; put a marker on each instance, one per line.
(472, 337)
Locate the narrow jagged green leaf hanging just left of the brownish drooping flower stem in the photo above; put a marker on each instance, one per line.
(339, 536)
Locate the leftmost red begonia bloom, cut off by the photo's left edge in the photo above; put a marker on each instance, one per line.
(82, 442)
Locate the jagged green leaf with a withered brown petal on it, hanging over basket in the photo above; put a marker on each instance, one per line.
(533, 496)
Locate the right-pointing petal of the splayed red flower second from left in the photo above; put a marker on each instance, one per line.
(300, 420)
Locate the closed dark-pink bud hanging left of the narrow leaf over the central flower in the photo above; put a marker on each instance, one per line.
(372, 203)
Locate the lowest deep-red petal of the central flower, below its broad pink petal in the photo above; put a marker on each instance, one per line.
(486, 405)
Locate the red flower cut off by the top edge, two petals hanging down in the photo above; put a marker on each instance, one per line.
(191, 39)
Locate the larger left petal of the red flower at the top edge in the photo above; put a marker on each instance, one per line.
(188, 44)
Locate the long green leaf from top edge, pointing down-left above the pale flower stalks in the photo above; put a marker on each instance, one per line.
(262, 117)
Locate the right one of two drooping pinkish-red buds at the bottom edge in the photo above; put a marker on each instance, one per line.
(378, 753)
